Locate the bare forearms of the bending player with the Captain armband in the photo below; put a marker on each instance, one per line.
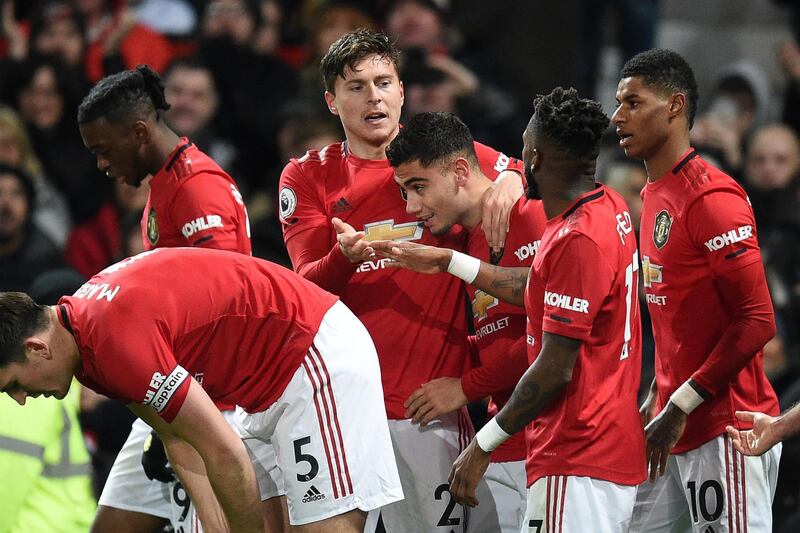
(225, 458)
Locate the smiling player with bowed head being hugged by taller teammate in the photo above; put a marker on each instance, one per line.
(438, 173)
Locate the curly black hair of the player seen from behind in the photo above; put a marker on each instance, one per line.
(574, 124)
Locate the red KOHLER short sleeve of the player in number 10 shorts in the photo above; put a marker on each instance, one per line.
(722, 226)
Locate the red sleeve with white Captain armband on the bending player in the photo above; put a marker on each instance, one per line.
(142, 369)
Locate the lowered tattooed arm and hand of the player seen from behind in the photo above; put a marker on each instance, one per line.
(541, 383)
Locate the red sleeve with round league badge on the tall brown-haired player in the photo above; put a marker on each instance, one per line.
(308, 233)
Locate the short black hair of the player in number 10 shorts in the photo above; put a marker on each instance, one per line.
(667, 72)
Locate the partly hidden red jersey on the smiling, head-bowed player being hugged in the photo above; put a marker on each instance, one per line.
(498, 325)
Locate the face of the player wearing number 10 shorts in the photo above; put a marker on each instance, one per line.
(641, 118)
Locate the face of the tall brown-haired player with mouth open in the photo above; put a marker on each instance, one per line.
(368, 100)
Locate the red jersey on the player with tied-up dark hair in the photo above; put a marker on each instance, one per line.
(193, 202)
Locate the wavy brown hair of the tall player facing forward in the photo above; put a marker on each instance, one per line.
(351, 48)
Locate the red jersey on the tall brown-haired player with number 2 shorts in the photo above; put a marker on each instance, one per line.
(417, 321)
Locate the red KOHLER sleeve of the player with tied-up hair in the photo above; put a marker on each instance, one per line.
(208, 213)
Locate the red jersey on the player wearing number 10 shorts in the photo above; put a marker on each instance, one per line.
(696, 224)
